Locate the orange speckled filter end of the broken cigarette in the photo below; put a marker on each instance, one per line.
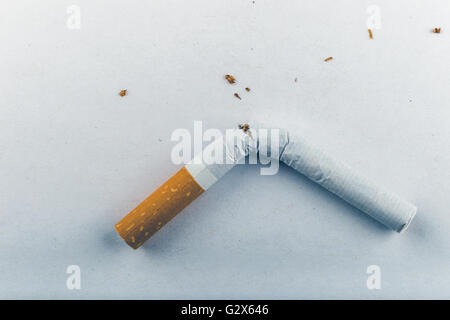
(159, 208)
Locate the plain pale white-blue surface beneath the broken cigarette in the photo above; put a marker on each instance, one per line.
(75, 157)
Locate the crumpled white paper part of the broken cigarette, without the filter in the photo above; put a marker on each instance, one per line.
(335, 176)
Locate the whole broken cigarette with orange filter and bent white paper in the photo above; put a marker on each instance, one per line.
(201, 173)
